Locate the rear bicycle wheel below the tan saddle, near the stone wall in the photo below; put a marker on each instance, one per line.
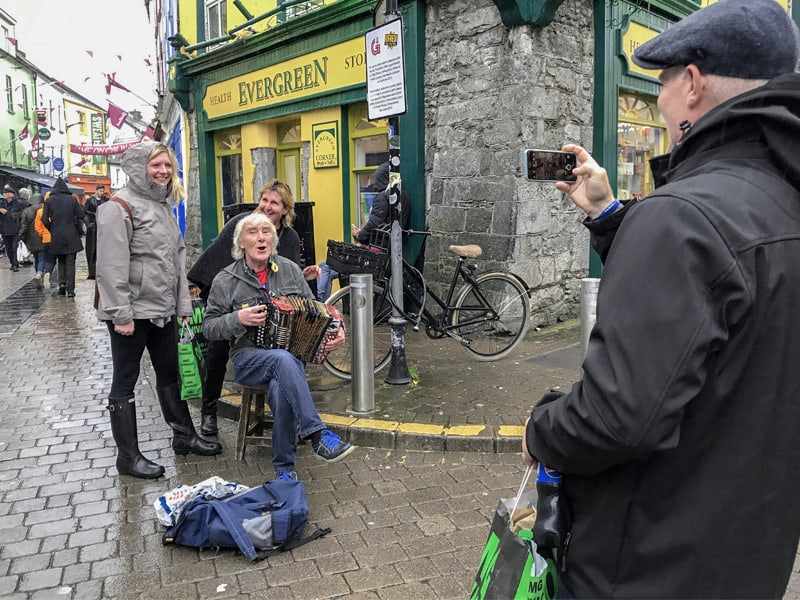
(491, 315)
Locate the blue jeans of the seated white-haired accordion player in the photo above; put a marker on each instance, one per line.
(289, 399)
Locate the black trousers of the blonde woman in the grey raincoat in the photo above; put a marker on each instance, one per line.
(127, 350)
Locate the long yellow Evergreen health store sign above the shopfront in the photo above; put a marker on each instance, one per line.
(317, 73)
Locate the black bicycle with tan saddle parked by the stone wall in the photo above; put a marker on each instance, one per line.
(487, 315)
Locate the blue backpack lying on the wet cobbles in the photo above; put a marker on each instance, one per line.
(259, 522)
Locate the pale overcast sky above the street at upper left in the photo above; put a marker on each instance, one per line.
(56, 34)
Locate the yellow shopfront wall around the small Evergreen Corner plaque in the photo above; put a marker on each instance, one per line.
(325, 185)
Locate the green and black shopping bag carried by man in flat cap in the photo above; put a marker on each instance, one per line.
(510, 565)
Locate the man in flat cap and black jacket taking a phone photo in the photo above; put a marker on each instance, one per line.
(679, 447)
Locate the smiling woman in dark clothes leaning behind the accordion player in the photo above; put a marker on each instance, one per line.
(275, 200)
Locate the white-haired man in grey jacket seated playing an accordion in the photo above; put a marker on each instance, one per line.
(236, 309)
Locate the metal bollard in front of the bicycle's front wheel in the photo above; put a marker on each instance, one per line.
(363, 375)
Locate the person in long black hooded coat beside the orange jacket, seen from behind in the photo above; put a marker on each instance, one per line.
(63, 217)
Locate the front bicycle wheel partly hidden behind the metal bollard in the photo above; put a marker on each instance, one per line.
(340, 362)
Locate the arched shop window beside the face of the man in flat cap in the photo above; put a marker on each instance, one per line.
(641, 135)
